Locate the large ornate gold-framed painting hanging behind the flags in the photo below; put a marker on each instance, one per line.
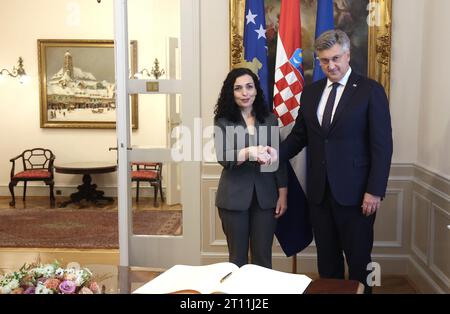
(377, 17)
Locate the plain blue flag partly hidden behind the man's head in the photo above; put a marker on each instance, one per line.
(324, 22)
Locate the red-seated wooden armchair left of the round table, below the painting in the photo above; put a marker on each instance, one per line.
(37, 165)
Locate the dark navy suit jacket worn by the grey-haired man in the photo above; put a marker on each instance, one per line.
(356, 152)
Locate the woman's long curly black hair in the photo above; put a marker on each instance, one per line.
(227, 108)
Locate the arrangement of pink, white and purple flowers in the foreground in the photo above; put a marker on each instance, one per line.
(39, 278)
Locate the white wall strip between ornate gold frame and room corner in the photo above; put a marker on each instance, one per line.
(406, 77)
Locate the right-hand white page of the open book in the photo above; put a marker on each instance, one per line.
(253, 279)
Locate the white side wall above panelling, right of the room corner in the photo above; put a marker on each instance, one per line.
(434, 114)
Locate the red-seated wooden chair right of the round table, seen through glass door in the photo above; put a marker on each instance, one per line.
(148, 172)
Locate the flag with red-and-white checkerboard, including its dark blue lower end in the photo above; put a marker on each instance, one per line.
(294, 232)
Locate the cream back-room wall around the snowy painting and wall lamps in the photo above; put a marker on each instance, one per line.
(22, 22)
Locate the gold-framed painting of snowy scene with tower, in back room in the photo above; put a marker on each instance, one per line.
(77, 84)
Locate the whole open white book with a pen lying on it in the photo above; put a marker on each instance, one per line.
(225, 278)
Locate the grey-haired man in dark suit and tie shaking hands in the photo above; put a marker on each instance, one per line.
(344, 121)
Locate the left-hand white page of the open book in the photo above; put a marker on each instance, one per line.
(204, 279)
